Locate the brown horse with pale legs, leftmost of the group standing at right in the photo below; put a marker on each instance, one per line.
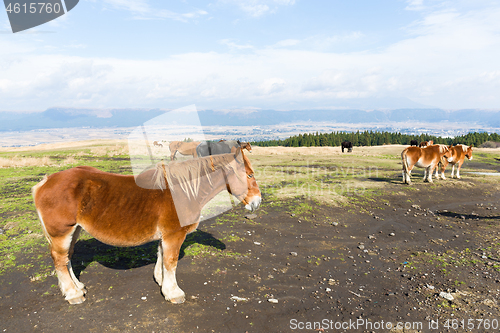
(427, 158)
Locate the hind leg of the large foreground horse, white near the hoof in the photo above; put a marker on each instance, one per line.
(60, 250)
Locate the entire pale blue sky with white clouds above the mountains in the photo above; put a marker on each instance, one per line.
(256, 54)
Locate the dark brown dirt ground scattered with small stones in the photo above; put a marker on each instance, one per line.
(425, 256)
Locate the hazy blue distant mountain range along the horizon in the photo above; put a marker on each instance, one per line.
(99, 118)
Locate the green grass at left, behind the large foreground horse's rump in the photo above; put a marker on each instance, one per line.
(21, 229)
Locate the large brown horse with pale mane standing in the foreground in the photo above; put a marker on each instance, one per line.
(116, 211)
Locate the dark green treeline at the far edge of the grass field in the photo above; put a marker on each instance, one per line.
(370, 138)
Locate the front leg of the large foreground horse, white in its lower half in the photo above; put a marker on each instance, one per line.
(171, 245)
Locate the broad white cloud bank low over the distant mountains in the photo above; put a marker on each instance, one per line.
(449, 59)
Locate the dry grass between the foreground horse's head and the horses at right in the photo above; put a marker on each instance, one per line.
(323, 173)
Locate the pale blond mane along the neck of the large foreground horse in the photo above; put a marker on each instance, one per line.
(187, 175)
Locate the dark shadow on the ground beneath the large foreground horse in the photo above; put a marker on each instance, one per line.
(91, 250)
